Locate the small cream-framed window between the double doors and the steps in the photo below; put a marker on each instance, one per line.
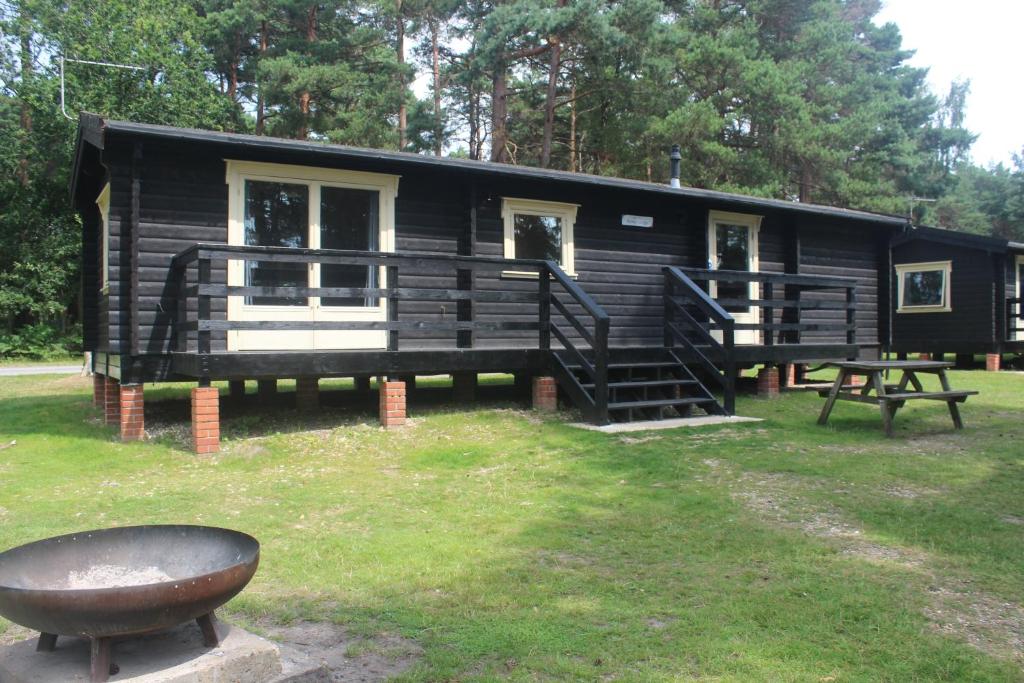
(537, 230)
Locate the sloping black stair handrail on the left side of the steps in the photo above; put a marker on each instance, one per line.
(599, 372)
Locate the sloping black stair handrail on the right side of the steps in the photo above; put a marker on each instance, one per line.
(695, 294)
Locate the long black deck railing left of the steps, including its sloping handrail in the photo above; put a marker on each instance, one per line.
(564, 311)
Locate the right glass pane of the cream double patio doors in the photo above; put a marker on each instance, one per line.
(350, 221)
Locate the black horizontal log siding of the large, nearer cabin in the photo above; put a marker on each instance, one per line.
(183, 199)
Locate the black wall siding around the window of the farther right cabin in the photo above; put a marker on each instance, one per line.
(970, 327)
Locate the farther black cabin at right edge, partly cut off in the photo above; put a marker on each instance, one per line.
(957, 293)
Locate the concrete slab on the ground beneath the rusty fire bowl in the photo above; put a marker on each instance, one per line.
(172, 657)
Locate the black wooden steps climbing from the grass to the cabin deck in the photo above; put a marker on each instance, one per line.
(658, 388)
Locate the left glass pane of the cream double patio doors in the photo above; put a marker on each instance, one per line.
(277, 216)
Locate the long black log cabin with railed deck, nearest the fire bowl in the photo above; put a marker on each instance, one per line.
(217, 257)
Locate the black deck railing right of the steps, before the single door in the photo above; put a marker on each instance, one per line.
(781, 304)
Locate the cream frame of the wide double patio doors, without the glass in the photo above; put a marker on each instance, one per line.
(238, 173)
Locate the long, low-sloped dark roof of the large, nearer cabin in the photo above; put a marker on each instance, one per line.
(95, 130)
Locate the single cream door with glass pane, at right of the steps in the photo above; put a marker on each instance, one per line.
(733, 245)
